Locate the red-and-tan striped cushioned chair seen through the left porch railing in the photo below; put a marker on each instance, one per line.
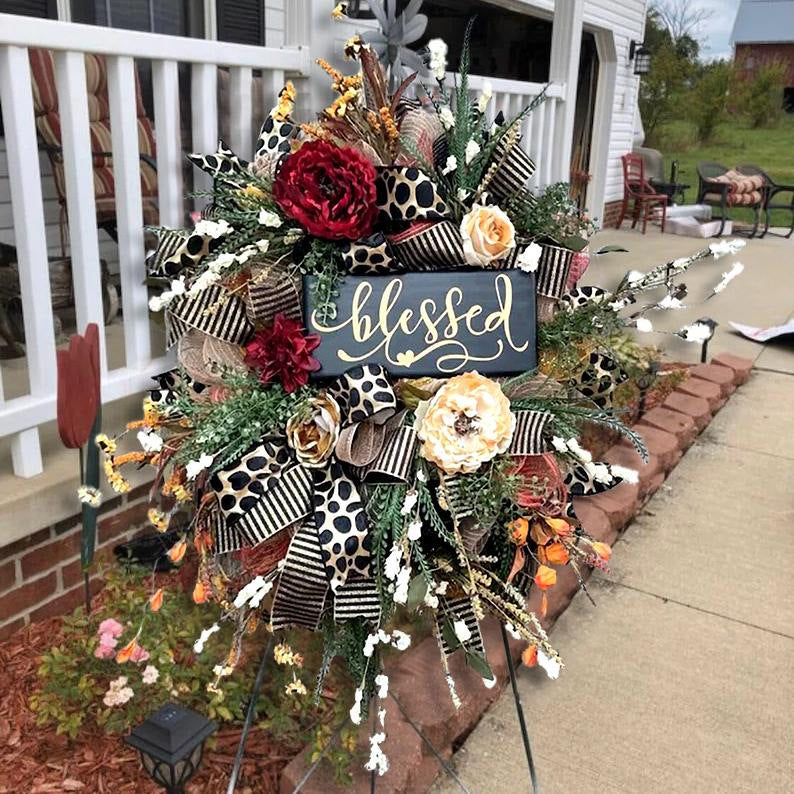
(48, 124)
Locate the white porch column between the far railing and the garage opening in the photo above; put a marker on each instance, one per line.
(566, 44)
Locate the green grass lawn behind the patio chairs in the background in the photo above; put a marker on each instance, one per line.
(734, 144)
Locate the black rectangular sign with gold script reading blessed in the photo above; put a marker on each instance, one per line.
(429, 323)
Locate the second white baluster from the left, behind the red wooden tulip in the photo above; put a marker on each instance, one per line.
(80, 202)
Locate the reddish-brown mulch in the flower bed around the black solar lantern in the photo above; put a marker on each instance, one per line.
(34, 760)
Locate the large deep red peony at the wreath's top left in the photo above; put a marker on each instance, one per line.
(329, 190)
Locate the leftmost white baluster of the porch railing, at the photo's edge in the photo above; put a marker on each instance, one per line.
(31, 243)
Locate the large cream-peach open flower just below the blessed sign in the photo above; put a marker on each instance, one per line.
(466, 423)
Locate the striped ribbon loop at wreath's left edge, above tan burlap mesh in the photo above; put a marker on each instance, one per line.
(213, 311)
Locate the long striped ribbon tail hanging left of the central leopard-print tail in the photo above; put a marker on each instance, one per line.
(302, 586)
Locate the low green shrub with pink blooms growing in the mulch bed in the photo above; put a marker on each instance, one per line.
(74, 683)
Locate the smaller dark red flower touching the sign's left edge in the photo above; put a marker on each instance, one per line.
(282, 353)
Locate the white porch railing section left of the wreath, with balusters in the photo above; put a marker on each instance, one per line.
(21, 416)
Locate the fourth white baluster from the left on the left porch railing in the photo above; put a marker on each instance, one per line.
(170, 198)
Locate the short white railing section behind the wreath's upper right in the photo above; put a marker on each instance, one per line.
(537, 129)
